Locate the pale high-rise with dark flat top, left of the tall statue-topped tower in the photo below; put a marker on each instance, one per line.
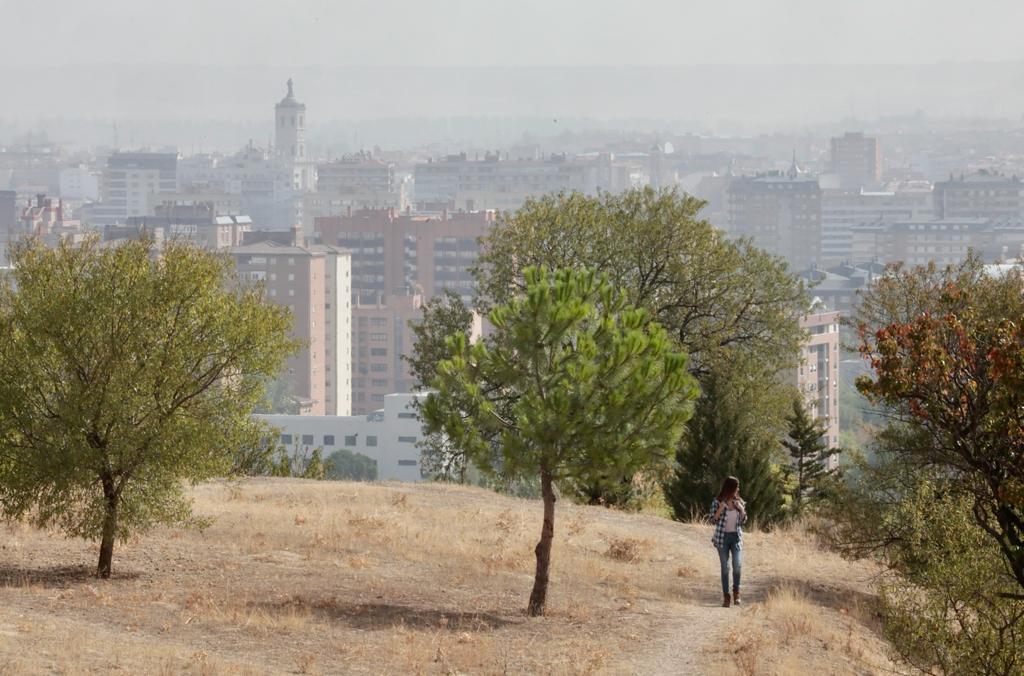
(129, 183)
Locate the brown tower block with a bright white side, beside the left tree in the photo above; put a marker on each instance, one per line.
(314, 283)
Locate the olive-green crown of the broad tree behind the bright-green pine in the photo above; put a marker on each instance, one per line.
(718, 299)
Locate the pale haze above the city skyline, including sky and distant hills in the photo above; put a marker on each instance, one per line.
(731, 68)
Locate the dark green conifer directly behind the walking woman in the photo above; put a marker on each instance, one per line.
(723, 440)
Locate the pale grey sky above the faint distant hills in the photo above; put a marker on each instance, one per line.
(333, 33)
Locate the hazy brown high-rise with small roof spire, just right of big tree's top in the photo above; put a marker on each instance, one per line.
(781, 213)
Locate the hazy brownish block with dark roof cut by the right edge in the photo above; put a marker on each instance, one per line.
(982, 195)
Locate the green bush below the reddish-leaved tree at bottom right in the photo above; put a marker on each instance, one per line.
(947, 604)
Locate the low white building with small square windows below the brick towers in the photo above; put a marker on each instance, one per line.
(390, 436)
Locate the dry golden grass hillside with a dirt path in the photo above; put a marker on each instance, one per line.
(305, 577)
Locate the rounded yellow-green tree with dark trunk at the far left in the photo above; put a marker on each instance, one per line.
(123, 373)
